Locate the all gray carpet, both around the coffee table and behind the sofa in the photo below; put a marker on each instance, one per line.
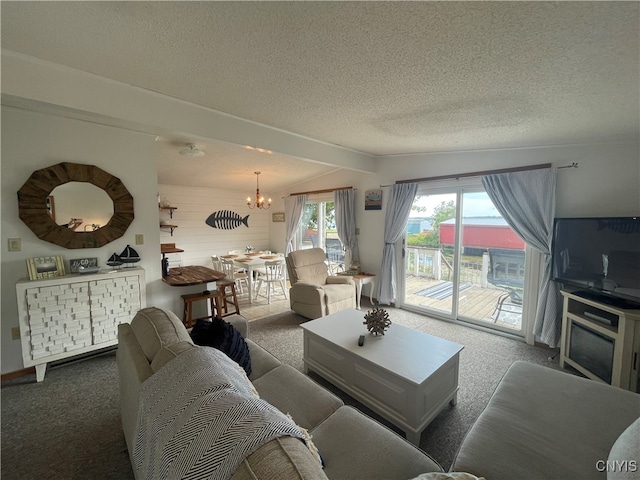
(68, 427)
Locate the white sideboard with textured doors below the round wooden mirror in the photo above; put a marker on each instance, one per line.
(66, 316)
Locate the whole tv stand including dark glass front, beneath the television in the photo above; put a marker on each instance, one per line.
(601, 341)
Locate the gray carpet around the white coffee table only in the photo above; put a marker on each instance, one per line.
(483, 361)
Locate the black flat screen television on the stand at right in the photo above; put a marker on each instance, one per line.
(600, 256)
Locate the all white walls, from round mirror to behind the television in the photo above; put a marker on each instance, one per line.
(606, 183)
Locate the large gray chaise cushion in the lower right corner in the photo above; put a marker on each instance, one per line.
(545, 424)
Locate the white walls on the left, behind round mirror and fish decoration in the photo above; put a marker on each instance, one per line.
(31, 141)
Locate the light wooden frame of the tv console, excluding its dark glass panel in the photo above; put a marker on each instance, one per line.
(624, 331)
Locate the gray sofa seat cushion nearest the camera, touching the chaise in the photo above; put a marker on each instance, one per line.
(356, 447)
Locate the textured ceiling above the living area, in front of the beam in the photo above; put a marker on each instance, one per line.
(378, 77)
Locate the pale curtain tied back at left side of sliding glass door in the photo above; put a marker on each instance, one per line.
(395, 223)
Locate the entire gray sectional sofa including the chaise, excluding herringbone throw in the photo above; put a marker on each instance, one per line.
(539, 424)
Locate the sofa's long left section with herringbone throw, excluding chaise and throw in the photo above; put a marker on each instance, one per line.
(351, 444)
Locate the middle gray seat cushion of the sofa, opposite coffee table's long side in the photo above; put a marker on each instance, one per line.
(292, 392)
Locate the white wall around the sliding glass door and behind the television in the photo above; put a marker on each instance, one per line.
(607, 182)
